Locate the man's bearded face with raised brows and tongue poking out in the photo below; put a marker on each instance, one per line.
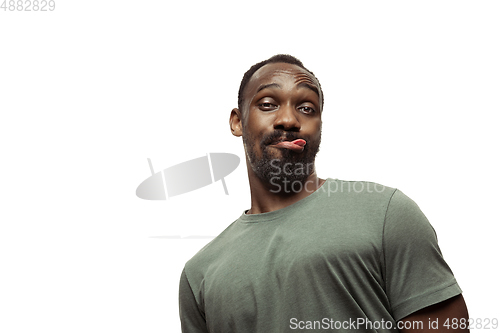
(282, 103)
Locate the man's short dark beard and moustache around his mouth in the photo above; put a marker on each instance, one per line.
(277, 166)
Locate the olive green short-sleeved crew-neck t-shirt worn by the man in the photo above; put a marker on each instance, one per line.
(350, 257)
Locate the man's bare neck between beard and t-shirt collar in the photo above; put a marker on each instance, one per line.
(265, 197)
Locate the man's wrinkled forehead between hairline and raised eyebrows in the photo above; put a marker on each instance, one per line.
(276, 72)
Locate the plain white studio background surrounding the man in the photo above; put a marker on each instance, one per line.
(90, 90)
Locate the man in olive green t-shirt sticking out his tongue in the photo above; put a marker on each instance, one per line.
(313, 254)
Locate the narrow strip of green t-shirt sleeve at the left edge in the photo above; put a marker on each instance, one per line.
(192, 319)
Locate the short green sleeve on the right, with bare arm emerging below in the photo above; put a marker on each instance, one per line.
(416, 273)
